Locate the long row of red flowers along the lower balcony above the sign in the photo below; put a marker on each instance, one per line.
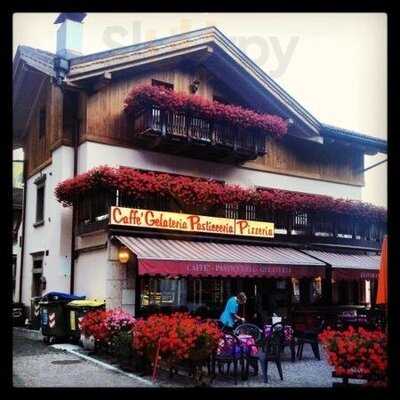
(202, 193)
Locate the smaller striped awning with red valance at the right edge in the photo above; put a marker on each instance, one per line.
(349, 266)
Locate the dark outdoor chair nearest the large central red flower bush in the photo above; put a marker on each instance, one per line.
(229, 352)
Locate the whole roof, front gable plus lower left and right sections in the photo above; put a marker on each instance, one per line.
(223, 58)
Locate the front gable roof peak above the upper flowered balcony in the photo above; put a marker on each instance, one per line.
(225, 60)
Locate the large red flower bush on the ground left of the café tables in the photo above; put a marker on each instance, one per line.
(180, 336)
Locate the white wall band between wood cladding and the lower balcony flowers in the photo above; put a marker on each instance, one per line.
(95, 154)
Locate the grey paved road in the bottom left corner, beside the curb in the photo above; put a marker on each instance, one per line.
(38, 365)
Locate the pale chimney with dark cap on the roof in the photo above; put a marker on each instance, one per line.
(69, 35)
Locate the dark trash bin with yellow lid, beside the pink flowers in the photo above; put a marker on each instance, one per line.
(76, 309)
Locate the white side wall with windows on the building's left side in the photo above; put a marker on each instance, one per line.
(55, 234)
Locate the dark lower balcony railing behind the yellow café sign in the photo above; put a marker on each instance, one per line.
(323, 228)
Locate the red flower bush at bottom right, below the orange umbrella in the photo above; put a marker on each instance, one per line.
(357, 352)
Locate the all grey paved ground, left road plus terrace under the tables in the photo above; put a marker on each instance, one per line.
(38, 365)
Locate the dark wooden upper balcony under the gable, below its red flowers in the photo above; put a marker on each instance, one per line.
(188, 135)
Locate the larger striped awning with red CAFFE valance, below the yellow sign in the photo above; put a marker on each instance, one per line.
(183, 258)
